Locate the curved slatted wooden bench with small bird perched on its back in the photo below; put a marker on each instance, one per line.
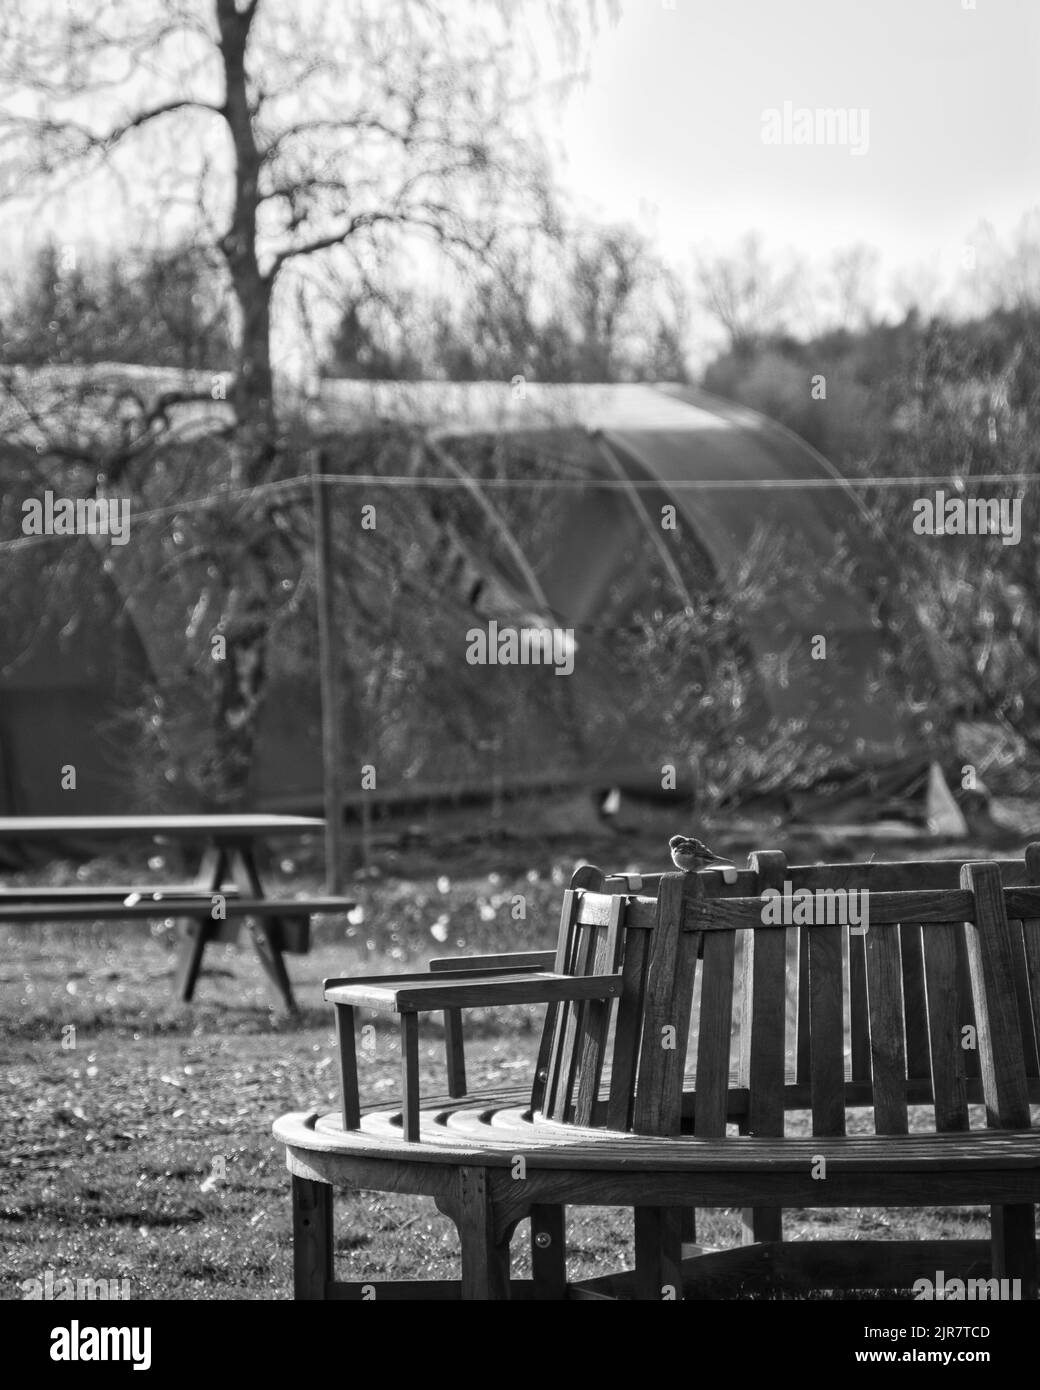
(614, 1118)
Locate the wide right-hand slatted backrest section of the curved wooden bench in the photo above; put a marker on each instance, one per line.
(941, 931)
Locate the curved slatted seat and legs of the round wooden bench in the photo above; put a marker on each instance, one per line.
(468, 1164)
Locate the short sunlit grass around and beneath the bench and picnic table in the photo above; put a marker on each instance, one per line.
(138, 1131)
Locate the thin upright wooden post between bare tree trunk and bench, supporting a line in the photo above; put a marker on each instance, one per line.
(332, 746)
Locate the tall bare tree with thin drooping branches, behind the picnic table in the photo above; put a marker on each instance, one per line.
(301, 131)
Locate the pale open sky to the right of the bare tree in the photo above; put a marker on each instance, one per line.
(668, 130)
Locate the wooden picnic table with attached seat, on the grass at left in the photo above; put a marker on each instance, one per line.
(227, 867)
